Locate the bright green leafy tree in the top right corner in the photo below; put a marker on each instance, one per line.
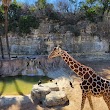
(96, 8)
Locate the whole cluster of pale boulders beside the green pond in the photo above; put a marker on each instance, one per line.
(49, 94)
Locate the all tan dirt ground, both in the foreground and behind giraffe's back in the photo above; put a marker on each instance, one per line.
(74, 94)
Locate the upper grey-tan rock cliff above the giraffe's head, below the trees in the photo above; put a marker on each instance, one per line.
(42, 40)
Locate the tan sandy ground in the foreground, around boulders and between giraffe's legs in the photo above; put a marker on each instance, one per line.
(74, 96)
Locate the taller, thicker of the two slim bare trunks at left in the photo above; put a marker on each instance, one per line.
(6, 31)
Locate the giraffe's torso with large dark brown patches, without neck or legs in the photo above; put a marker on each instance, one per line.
(95, 85)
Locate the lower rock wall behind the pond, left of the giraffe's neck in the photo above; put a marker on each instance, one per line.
(39, 66)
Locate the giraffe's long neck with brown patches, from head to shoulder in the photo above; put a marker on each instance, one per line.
(77, 67)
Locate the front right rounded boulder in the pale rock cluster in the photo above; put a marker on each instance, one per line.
(55, 98)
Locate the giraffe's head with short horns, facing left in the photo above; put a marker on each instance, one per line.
(55, 52)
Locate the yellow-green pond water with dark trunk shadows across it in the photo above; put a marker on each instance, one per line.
(19, 85)
